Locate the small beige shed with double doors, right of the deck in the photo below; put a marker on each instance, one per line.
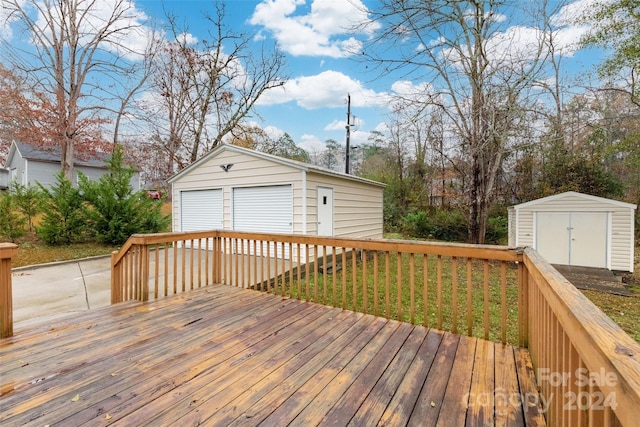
(576, 229)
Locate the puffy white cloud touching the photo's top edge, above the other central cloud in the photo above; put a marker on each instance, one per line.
(324, 31)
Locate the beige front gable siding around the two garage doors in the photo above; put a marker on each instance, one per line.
(247, 171)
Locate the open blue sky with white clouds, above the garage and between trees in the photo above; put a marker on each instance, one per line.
(321, 72)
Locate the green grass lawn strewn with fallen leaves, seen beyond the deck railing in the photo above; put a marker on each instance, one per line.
(625, 311)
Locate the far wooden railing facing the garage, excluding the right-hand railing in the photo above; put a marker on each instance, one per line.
(463, 288)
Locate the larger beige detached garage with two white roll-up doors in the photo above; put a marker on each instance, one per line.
(234, 188)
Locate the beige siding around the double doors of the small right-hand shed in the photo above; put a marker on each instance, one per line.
(621, 220)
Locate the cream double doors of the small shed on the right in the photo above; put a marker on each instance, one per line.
(573, 238)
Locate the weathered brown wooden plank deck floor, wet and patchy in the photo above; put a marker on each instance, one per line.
(228, 356)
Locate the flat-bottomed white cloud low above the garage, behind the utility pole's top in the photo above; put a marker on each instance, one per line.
(328, 89)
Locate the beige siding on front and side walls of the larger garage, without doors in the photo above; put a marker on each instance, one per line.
(357, 203)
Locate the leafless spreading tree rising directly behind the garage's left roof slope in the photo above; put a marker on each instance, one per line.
(209, 87)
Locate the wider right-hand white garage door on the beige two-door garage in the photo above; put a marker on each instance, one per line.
(263, 209)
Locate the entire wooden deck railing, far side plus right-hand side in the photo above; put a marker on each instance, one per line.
(588, 369)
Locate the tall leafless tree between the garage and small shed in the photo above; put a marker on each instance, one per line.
(476, 72)
